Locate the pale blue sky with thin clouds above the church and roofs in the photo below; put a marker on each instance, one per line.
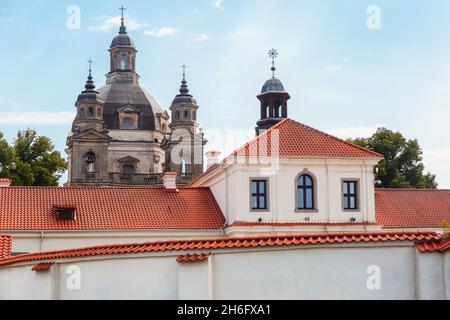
(343, 78)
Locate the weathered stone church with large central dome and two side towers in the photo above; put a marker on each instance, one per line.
(122, 136)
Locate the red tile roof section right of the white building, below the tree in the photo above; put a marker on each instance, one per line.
(411, 208)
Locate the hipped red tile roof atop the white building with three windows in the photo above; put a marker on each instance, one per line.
(292, 139)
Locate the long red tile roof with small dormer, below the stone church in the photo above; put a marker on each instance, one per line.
(24, 208)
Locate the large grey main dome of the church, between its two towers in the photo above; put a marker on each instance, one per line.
(126, 93)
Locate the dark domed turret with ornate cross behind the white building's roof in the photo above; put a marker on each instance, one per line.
(273, 100)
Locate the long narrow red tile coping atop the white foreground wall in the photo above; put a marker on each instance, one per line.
(228, 243)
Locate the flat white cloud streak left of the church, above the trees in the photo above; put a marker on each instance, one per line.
(36, 118)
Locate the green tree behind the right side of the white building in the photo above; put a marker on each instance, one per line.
(402, 166)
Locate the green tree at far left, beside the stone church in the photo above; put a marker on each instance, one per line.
(32, 160)
